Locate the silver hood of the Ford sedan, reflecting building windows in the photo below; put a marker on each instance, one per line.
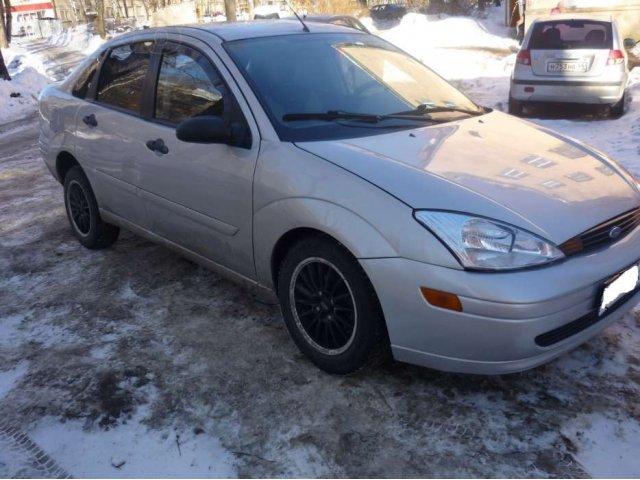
(495, 166)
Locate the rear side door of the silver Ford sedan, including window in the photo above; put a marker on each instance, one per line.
(105, 126)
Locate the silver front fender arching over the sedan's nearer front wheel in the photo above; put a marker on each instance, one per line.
(274, 220)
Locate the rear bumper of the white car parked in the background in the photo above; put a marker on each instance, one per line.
(568, 91)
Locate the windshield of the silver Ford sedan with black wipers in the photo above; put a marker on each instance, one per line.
(354, 73)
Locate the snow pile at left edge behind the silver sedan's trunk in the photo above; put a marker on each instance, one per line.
(19, 97)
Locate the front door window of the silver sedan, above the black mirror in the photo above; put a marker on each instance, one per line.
(188, 86)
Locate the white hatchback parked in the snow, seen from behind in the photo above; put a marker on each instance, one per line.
(568, 59)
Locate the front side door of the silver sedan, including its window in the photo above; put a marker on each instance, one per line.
(199, 196)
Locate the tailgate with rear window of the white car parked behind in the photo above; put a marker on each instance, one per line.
(570, 48)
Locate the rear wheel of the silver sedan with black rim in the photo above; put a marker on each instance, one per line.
(83, 213)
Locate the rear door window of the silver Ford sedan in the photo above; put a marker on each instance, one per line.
(123, 74)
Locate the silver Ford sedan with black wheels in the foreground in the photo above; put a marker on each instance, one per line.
(327, 169)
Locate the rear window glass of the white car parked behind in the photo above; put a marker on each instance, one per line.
(571, 34)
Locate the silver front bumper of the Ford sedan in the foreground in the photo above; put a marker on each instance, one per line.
(503, 313)
